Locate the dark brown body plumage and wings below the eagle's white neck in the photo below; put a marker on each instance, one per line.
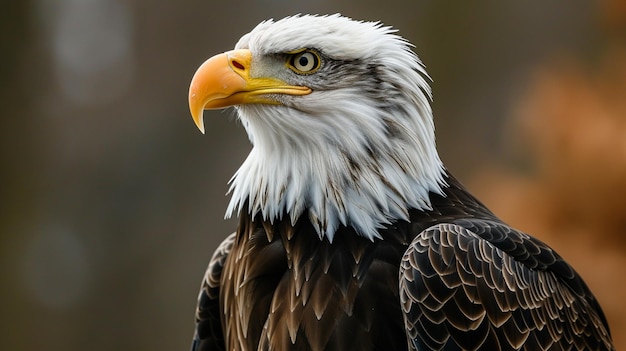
(461, 277)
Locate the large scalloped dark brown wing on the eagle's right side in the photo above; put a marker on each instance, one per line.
(480, 285)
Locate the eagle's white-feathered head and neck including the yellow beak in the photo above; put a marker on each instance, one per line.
(338, 114)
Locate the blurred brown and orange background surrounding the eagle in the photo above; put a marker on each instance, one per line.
(112, 202)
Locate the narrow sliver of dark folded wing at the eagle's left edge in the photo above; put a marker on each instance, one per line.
(208, 335)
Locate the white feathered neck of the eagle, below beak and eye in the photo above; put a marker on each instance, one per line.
(361, 178)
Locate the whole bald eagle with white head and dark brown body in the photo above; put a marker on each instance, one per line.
(352, 234)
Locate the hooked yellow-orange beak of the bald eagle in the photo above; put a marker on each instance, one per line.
(224, 80)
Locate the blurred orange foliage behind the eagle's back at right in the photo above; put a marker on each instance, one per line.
(572, 125)
